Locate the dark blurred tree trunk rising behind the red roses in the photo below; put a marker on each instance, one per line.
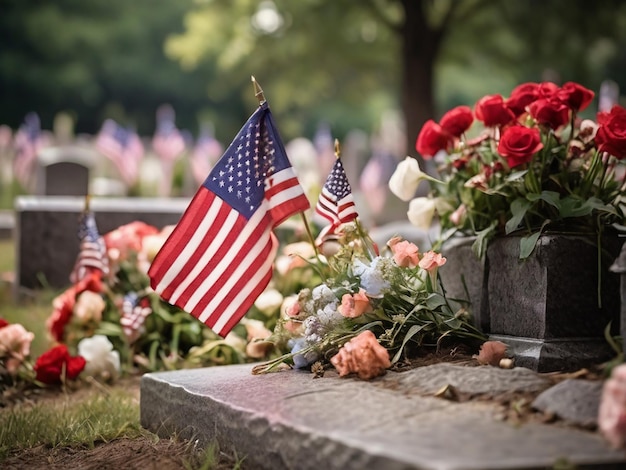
(420, 44)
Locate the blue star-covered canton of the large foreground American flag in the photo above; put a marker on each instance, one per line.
(254, 155)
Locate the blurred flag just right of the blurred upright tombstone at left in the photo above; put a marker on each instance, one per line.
(124, 147)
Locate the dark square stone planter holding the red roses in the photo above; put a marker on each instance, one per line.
(548, 308)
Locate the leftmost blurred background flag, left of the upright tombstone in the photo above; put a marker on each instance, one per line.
(28, 142)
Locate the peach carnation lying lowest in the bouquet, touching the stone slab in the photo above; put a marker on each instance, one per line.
(362, 355)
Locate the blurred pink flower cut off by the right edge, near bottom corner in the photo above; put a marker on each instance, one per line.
(612, 410)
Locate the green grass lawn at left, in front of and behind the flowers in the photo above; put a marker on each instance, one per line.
(91, 426)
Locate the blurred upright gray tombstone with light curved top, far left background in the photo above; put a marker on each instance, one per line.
(64, 171)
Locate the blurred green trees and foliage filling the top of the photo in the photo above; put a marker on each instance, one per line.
(336, 61)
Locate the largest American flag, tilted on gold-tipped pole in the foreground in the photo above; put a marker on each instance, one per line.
(219, 258)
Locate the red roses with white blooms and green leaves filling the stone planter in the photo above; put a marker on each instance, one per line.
(527, 163)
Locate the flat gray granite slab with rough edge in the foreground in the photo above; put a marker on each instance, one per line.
(289, 420)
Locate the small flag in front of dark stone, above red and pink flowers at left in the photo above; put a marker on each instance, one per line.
(92, 255)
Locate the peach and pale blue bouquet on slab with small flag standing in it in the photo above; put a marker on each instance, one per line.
(371, 308)
